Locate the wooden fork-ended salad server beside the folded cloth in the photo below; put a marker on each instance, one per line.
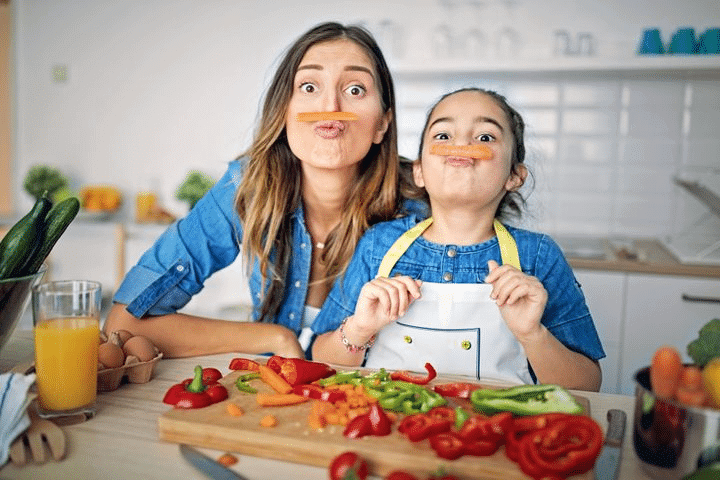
(39, 432)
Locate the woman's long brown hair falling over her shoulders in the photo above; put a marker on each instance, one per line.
(270, 191)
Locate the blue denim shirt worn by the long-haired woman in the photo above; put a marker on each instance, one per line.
(205, 241)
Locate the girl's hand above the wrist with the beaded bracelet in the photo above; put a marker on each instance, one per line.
(382, 301)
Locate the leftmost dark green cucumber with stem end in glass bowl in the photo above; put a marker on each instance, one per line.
(24, 239)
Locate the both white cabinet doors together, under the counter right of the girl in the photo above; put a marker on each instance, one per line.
(637, 313)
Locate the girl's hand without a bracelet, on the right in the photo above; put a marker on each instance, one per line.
(521, 298)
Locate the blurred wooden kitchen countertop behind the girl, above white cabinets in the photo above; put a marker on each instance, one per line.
(644, 256)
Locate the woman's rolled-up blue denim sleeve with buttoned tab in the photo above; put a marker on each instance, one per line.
(180, 261)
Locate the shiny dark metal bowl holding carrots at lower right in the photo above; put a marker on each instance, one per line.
(672, 439)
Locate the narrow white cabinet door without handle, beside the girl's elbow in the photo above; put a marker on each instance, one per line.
(604, 294)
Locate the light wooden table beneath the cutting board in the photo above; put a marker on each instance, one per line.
(122, 441)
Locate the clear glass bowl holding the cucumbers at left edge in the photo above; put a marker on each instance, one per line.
(15, 296)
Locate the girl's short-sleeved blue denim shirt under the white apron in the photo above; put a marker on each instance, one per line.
(566, 314)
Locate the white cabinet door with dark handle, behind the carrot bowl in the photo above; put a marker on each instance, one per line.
(663, 309)
